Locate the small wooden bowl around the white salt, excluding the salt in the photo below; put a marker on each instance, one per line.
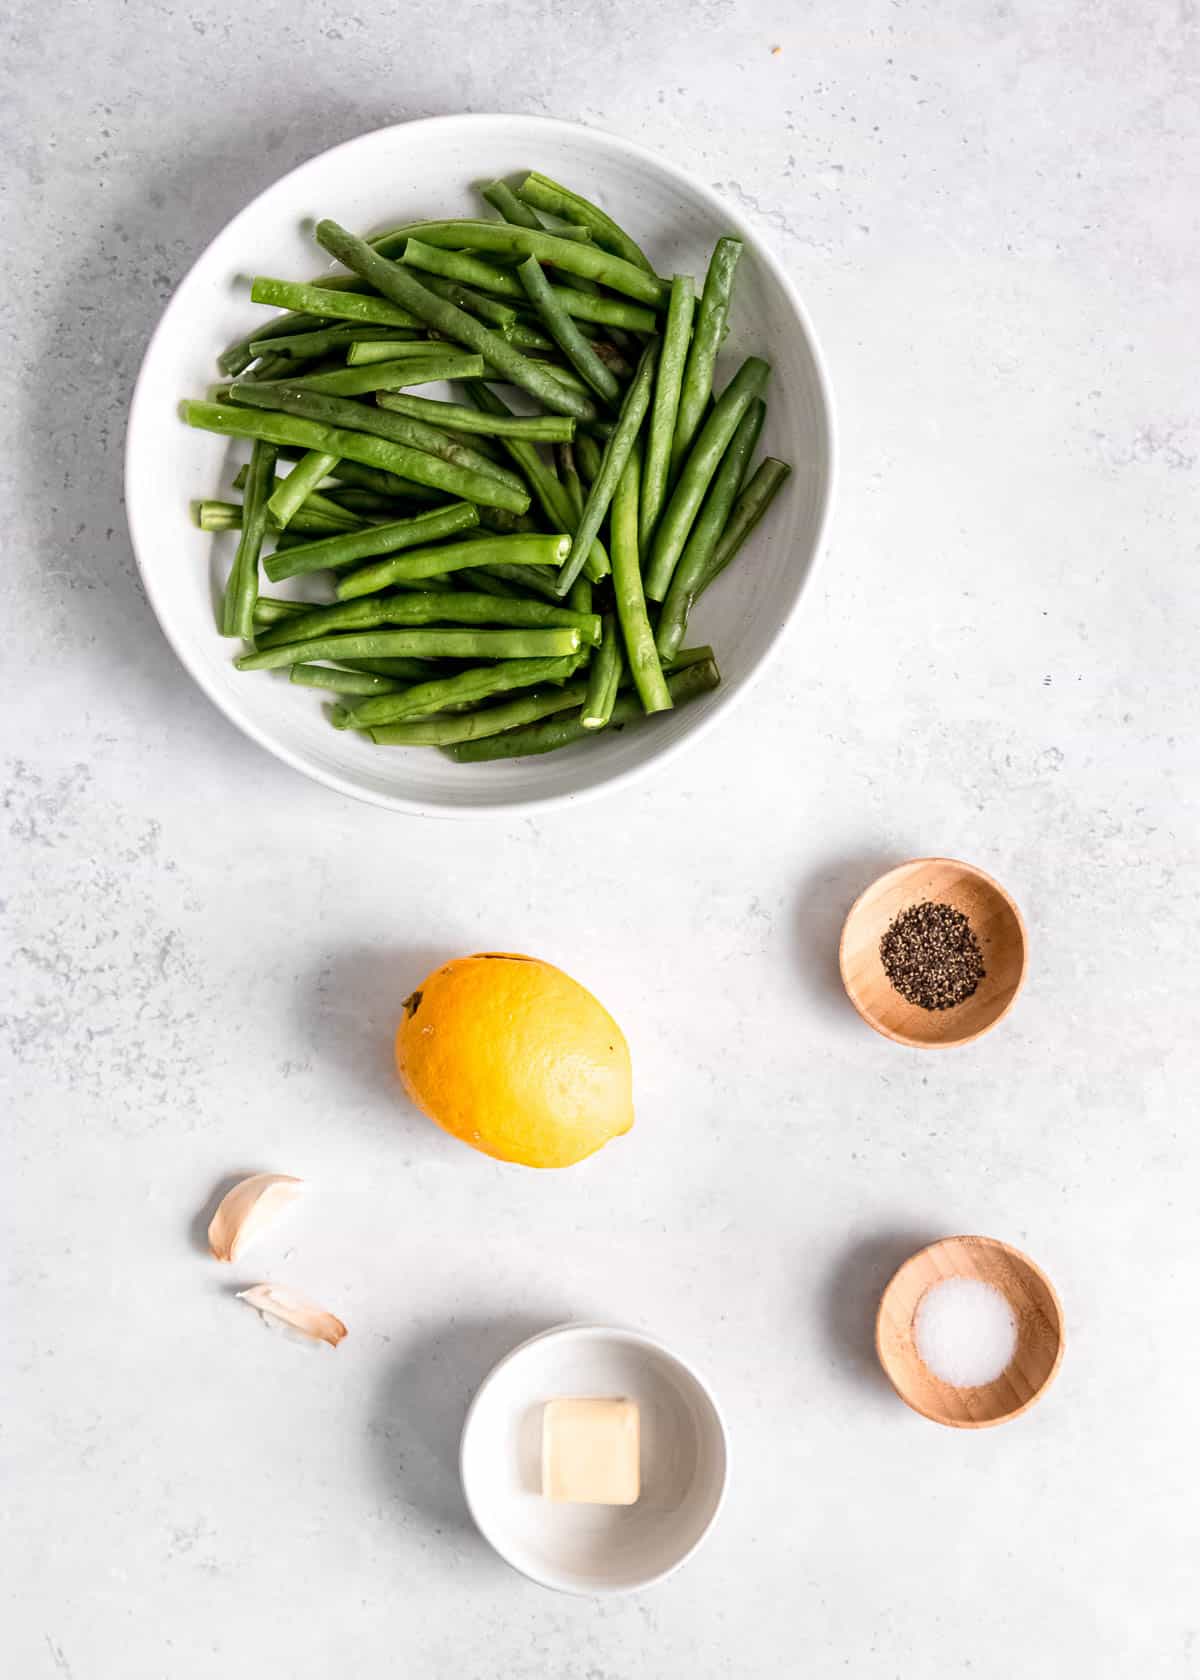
(1039, 1333)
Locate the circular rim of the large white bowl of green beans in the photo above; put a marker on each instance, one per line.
(724, 700)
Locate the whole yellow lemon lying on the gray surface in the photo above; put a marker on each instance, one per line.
(517, 1059)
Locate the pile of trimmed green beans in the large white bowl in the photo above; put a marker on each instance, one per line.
(488, 577)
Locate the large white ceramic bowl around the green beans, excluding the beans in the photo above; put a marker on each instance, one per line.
(428, 171)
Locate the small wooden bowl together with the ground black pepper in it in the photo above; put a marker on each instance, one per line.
(934, 953)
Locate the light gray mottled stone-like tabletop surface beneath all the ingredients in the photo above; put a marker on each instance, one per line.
(992, 216)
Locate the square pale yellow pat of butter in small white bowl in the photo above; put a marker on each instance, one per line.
(591, 1452)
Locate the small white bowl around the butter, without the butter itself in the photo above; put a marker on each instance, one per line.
(599, 1550)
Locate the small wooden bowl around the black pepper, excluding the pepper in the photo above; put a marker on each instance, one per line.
(997, 927)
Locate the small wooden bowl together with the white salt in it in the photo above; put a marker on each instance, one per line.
(971, 1333)
